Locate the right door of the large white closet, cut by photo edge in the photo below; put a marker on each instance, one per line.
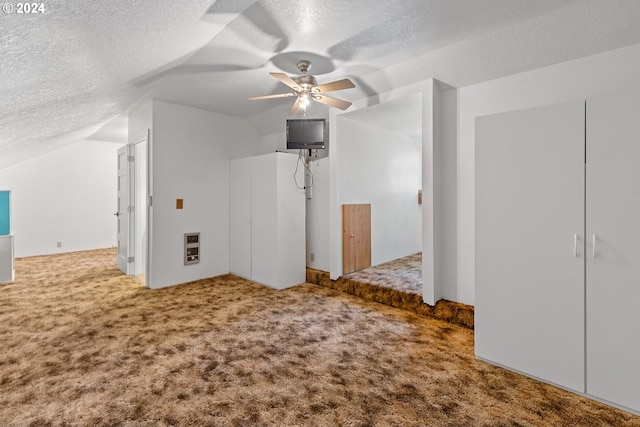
(613, 266)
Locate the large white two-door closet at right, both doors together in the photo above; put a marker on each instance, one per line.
(558, 245)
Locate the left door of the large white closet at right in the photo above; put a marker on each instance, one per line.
(529, 313)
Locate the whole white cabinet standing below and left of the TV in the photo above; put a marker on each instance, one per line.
(267, 220)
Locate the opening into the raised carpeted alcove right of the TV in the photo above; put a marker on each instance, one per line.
(380, 163)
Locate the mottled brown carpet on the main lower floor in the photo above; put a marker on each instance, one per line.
(84, 345)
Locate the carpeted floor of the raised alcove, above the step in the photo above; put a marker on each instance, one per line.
(404, 274)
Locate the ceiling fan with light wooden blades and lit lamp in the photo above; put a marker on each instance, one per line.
(306, 89)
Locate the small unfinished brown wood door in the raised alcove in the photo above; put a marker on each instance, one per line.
(356, 237)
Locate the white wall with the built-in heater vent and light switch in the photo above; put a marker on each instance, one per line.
(190, 161)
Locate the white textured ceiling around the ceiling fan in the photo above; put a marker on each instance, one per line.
(69, 71)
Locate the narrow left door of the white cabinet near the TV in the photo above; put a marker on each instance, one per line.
(240, 218)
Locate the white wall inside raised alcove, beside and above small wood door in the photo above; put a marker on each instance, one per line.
(383, 168)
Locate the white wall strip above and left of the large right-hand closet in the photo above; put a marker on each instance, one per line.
(613, 71)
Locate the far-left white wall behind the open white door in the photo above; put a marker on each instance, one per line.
(68, 196)
